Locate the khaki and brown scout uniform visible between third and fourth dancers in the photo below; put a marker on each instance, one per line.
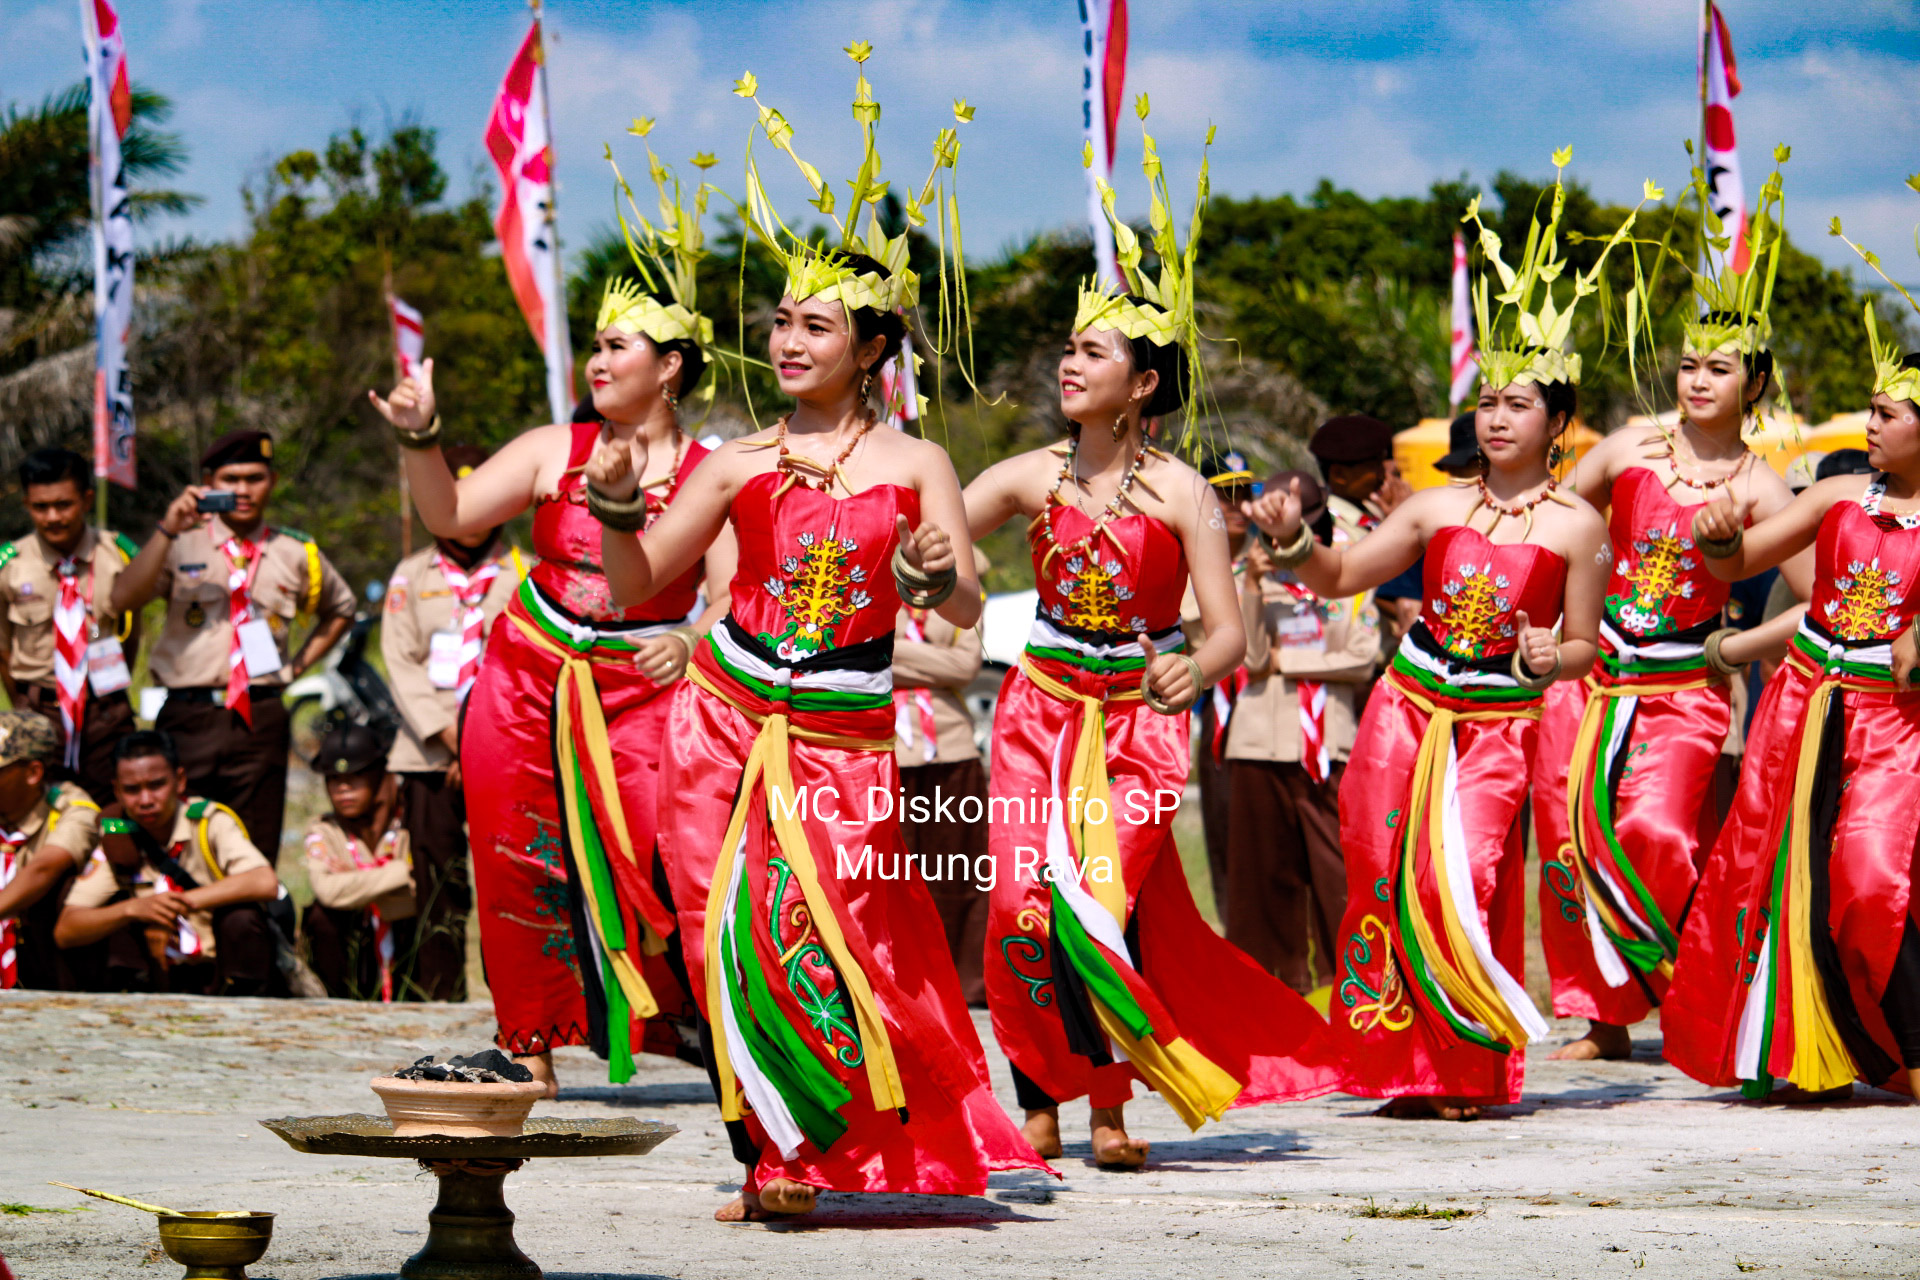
(1287, 878)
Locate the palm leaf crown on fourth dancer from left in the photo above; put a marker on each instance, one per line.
(1525, 341)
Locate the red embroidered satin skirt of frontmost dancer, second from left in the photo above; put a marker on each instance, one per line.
(951, 1131)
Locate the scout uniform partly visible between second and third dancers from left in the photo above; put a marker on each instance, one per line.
(944, 665)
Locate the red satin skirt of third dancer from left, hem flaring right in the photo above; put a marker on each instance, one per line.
(1189, 984)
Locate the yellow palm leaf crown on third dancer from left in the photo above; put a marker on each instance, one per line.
(1161, 308)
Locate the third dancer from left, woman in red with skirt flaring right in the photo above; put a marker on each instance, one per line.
(1101, 970)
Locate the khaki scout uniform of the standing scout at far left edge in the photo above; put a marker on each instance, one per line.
(30, 590)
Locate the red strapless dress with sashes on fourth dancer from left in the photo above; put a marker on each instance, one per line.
(1429, 997)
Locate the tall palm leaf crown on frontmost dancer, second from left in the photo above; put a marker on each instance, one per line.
(821, 270)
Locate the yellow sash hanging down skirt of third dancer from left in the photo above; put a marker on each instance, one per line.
(1191, 1083)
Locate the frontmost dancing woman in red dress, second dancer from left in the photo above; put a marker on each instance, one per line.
(842, 1051)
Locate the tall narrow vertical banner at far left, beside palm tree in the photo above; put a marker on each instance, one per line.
(108, 116)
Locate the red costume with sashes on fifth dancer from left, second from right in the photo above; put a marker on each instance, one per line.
(1639, 744)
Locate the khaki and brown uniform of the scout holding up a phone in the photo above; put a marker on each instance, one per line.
(226, 759)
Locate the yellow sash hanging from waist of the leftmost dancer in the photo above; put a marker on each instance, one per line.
(579, 690)
